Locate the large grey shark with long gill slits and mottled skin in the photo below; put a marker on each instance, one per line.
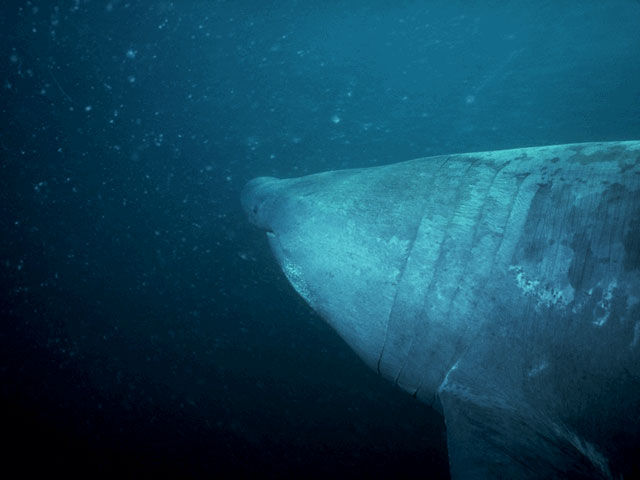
(503, 288)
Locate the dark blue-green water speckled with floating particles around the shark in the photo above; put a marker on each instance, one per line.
(144, 326)
